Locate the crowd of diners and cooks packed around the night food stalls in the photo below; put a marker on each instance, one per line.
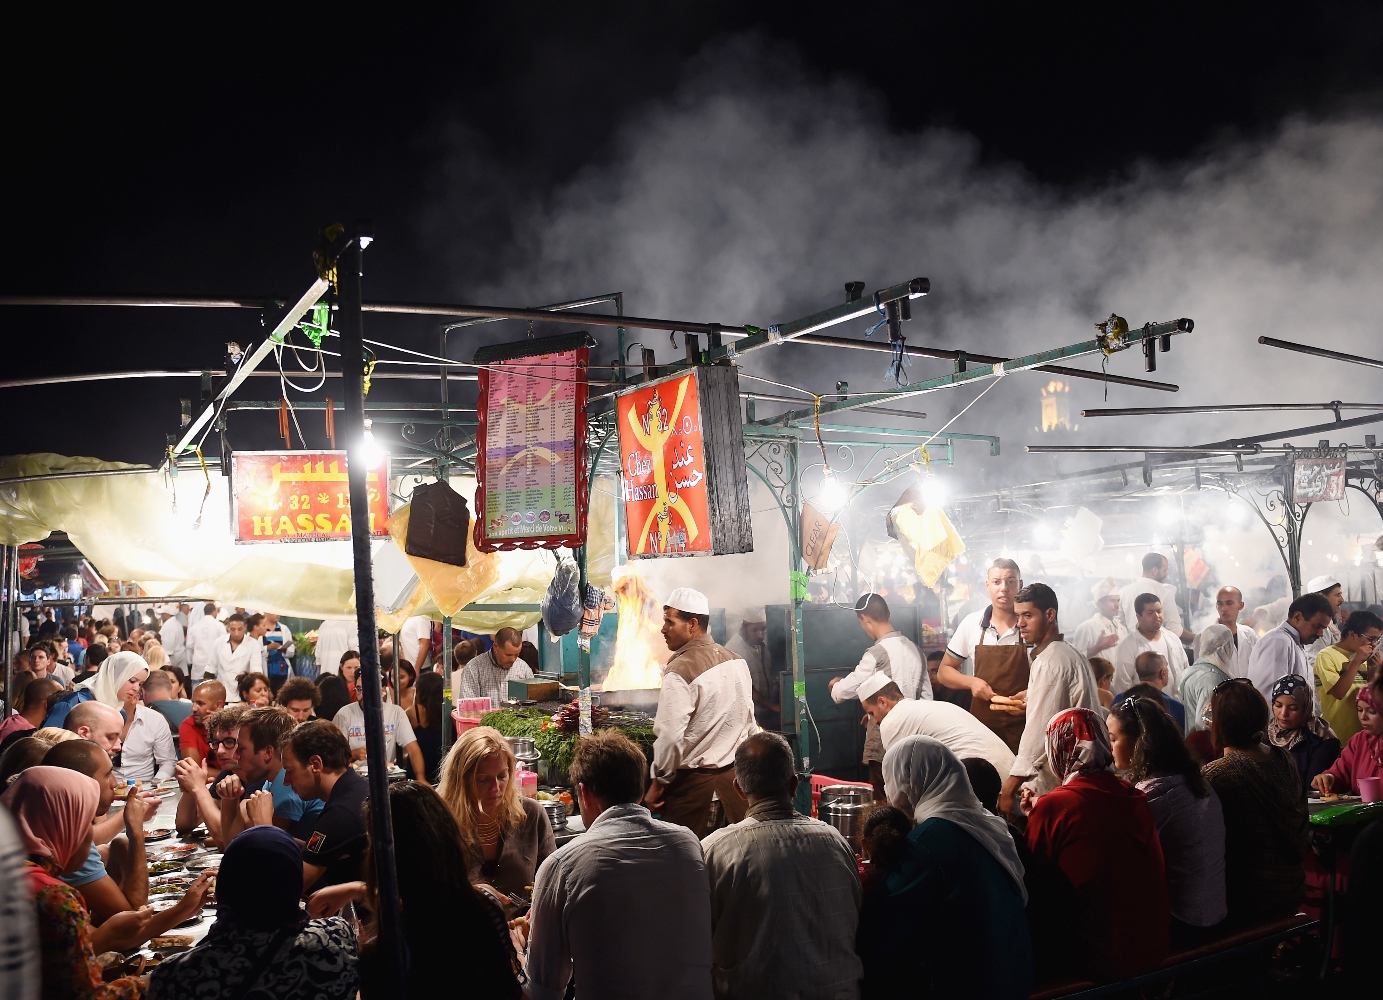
(1079, 815)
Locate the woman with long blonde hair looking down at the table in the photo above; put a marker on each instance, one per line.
(505, 835)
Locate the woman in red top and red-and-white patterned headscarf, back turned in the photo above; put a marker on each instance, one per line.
(1095, 846)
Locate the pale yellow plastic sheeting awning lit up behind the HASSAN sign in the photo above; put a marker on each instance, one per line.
(145, 528)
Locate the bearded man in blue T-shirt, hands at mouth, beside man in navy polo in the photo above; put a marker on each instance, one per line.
(259, 786)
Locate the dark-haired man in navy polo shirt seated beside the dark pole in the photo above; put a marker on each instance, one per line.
(317, 766)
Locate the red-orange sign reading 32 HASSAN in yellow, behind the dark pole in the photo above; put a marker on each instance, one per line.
(301, 497)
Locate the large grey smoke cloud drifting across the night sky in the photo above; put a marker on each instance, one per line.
(759, 189)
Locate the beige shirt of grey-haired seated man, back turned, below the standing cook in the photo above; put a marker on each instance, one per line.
(785, 908)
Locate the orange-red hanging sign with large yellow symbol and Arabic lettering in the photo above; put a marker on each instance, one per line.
(663, 470)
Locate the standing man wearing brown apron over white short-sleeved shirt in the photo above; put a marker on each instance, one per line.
(987, 655)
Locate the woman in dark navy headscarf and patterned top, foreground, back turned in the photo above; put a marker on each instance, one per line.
(263, 941)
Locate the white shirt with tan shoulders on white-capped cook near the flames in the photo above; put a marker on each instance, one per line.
(706, 709)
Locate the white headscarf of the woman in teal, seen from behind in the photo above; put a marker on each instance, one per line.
(925, 772)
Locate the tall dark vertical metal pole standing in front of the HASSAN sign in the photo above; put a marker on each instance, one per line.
(381, 820)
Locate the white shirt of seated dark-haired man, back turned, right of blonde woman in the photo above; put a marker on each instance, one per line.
(629, 908)
